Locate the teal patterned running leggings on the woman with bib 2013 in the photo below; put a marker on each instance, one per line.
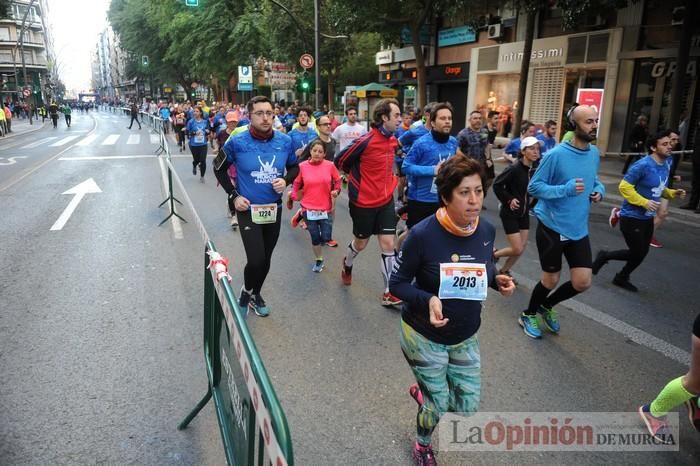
(449, 377)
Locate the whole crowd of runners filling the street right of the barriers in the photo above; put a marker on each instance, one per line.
(439, 267)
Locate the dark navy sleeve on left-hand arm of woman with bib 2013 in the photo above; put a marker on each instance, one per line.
(405, 268)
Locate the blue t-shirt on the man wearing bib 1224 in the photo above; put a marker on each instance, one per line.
(258, 163)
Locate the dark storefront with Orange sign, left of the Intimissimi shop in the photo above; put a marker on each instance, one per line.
(448, 83)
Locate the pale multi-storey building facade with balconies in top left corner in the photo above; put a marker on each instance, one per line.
(27, 63)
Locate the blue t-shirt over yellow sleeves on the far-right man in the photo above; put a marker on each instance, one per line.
(649, 180)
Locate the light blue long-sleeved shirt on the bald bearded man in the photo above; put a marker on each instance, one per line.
(554, 185)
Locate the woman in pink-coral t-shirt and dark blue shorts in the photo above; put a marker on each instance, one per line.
(320, 182)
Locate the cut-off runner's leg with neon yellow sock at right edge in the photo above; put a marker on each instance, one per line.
(684, 389)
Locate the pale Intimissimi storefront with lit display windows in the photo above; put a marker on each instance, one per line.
(559, 68)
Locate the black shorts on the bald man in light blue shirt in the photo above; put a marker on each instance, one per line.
(550, 248)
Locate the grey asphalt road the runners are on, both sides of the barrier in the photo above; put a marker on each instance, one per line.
(100, 329)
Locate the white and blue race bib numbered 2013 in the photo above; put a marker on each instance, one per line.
(461, 280)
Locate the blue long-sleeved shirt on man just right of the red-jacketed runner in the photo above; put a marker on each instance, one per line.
(419, 166)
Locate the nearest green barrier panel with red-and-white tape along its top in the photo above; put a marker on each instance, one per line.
(251, 420)
